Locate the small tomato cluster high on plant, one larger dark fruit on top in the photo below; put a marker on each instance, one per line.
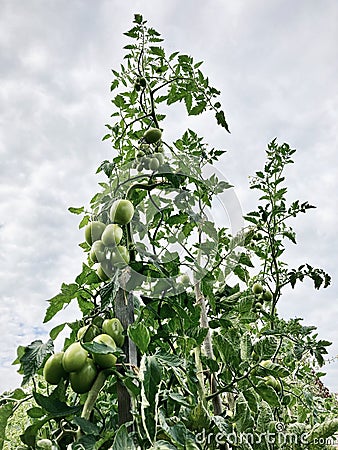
(150, 155)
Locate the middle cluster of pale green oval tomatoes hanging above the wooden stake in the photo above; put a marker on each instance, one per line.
(105, 239)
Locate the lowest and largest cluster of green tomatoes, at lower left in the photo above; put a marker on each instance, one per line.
(80, 366)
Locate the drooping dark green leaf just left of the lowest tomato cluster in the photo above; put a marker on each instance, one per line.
(33, 358)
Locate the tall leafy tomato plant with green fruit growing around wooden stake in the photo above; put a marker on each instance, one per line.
(180, 344)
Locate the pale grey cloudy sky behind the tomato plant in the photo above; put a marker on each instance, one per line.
(276, 65)
